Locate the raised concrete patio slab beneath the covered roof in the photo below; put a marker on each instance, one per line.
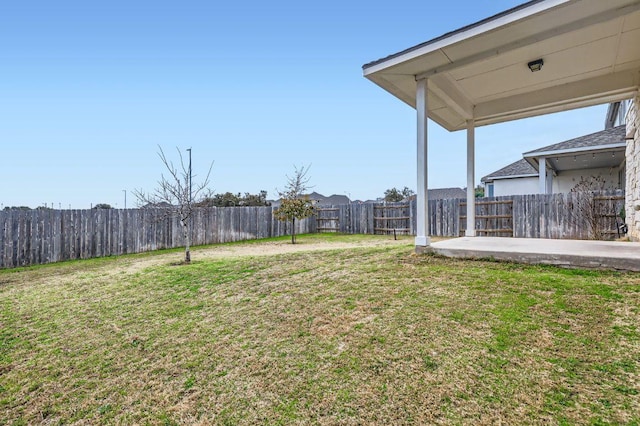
(611, 255)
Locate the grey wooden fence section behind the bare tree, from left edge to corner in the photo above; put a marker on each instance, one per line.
(40, 236)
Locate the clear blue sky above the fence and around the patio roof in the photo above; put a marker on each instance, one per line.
(88, 90)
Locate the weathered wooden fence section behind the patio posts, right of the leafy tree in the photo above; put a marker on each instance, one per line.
(554, 216)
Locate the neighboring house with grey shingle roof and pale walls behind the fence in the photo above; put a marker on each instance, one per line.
(566, 163)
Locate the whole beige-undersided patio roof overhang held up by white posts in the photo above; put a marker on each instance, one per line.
(590, 50)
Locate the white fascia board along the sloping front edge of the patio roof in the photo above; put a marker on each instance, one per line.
(459, 36)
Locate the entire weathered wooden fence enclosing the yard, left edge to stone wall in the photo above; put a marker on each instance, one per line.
(42, 236)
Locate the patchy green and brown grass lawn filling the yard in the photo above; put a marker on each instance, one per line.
(369, 334)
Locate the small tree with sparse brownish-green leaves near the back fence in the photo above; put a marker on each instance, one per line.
(294, 204)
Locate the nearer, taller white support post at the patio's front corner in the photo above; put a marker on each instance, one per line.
(422, 202)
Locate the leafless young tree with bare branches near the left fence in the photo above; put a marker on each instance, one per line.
(176, 195)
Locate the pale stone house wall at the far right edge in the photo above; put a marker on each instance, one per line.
(632, 201)
